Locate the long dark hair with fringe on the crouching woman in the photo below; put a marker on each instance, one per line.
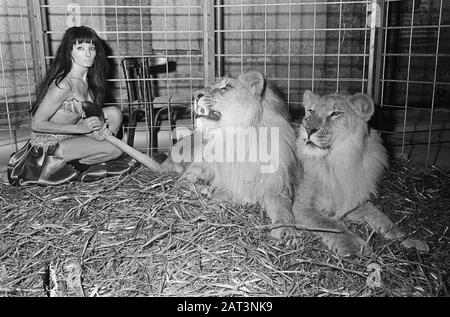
(62, 65)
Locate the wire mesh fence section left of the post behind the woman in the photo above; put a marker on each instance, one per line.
(17, 77)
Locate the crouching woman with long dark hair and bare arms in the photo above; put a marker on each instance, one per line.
(62, 137)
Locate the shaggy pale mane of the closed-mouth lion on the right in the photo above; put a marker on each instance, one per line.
(349, 169)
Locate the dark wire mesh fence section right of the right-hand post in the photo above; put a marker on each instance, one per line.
(414, 79)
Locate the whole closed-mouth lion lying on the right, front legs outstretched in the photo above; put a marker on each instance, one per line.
(342, 161)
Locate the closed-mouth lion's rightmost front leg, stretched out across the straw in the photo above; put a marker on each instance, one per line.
(380, 222)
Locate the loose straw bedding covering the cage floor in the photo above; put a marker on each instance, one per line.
(142, 235)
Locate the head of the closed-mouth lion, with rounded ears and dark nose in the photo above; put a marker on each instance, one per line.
(331, 120)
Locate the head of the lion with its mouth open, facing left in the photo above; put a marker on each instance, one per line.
(228, 103)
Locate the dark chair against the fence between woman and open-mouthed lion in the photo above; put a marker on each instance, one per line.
(143, 103)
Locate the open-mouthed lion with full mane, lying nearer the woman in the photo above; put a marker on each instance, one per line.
(237, 121)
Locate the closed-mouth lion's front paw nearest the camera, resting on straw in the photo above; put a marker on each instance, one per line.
(347, 245)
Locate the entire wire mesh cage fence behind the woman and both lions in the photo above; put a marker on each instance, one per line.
(397, 51)
